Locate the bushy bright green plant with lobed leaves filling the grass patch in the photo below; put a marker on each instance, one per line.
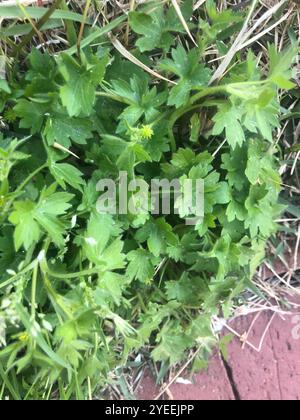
(82, 292)
